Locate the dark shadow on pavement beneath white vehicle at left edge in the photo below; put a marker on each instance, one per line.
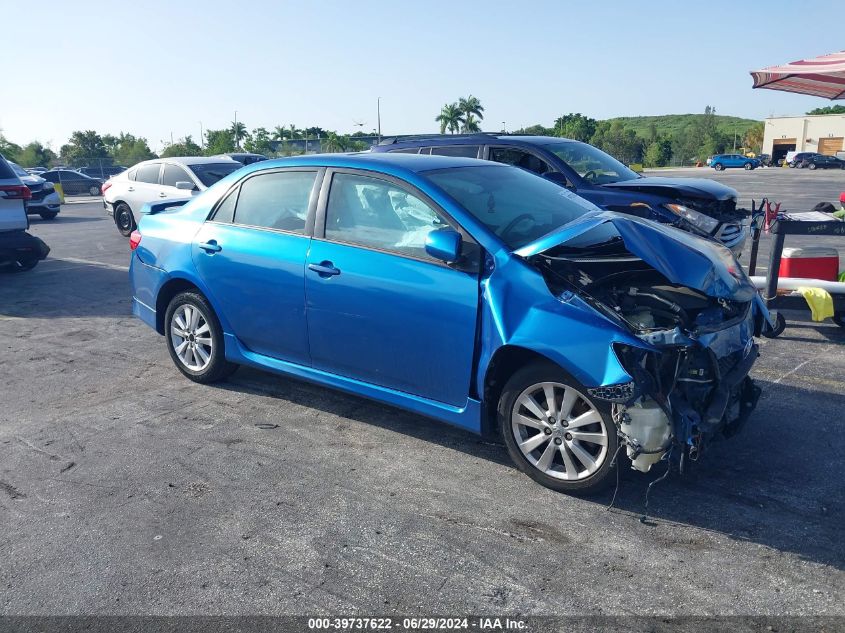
(56, 289)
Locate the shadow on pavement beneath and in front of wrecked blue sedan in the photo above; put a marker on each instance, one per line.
(772, 484)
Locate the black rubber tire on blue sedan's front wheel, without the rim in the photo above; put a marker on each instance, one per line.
(547, 372)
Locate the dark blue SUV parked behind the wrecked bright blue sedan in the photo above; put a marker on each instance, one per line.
(698, 205)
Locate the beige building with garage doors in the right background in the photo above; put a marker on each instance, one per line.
(817, 133)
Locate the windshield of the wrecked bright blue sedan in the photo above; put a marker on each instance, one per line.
(514, 204)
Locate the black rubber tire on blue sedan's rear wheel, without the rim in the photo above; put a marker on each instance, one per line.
(217, 367)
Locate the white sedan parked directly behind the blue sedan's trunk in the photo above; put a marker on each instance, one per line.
(154, 180)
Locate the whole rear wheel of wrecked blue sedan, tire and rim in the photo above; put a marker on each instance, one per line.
(195, 339)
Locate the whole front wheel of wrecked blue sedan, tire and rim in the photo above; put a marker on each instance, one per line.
(554, 433)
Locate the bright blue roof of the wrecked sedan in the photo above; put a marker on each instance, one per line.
(414, 163)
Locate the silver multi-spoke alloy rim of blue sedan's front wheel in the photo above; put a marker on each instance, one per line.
(559, 431)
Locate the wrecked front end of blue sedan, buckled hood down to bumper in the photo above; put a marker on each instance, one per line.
(695, 314)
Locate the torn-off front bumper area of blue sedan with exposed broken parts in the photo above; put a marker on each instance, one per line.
(689, 391)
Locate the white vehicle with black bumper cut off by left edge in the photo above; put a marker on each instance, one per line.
(18, 249)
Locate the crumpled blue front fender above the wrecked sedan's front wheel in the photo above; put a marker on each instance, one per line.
(518, 309)
